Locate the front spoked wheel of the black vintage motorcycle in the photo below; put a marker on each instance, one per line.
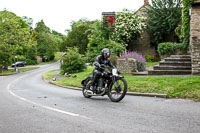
(117, 90)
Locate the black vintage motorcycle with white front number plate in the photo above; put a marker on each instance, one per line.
(110, 84)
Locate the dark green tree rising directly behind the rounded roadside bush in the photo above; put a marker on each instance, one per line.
(78, 35)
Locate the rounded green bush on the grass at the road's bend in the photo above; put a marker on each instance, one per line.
(72, 61)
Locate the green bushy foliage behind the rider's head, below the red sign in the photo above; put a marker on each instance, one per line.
(98, 39)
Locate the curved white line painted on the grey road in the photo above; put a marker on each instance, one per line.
(43, 106)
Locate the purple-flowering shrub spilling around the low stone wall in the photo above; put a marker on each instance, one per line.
(141, 61)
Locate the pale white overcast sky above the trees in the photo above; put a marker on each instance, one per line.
(58, 14)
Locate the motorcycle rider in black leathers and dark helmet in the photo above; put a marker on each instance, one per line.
(101, 61)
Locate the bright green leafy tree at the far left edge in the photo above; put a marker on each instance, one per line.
(14, 34)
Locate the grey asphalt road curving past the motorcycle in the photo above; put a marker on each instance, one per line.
(30, 105)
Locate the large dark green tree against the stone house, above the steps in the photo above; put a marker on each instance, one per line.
(164, 17)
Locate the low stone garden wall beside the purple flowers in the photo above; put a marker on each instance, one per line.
(127, 66)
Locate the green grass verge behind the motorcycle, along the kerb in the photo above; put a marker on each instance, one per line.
(173, 86)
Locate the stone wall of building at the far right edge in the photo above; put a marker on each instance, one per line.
(195, 37)
